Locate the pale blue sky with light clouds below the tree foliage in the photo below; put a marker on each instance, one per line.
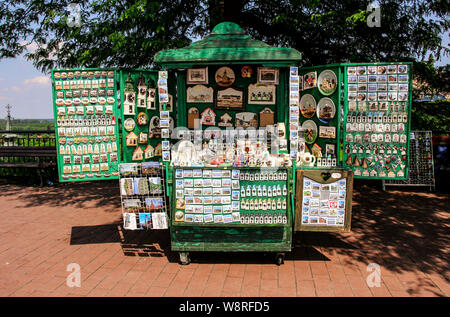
(29, 91)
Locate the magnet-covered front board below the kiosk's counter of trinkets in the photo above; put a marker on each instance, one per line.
(230, 197)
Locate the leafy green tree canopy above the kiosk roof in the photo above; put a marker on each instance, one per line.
(126, 33)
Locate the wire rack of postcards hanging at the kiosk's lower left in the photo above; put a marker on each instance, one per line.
(143, 196)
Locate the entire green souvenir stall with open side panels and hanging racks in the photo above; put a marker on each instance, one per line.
(231, 145)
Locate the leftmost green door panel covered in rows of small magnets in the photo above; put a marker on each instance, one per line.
(86, 123)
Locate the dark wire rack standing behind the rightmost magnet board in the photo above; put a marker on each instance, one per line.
(421, 164)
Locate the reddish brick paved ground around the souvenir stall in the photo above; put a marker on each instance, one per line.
(44, 230)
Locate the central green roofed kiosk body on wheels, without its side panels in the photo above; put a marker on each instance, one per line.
(231, 166)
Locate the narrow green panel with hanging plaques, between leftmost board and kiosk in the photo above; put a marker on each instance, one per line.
(146, 123)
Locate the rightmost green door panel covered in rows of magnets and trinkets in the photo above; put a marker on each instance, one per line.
(377, 112)
